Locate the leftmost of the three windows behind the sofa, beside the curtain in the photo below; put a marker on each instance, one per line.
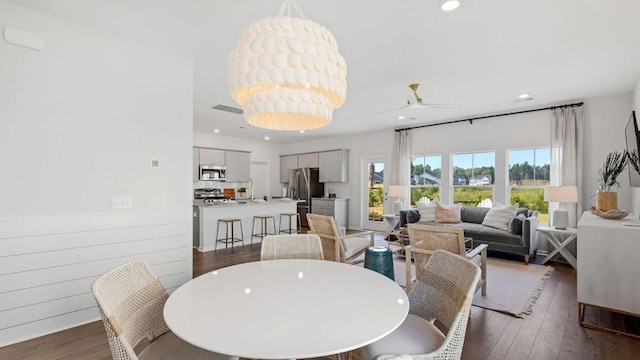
(426, 174)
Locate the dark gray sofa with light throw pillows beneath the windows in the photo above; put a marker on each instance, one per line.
(521, 239)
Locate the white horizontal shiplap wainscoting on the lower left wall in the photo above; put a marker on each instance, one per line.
(47, 265)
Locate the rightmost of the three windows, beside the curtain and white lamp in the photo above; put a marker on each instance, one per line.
(528, 175)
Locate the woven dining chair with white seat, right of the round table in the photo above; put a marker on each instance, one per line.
(442, 295)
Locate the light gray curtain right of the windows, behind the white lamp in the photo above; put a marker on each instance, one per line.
(566, 155)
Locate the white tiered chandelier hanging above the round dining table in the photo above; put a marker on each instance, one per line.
(286, 72)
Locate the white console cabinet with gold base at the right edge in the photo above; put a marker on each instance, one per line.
(608, 270)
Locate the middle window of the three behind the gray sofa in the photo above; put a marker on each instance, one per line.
(472, 178)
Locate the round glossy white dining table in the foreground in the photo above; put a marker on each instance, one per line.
(286, 309)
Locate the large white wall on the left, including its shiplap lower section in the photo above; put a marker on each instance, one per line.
(79, 123)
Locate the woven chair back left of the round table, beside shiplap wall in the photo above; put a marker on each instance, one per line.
(131, 300)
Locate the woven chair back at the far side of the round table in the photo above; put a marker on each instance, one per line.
(299, 246)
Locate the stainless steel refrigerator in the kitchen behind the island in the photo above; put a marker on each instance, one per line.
(304, 184)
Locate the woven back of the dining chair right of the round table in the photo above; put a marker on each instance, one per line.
(443, 292)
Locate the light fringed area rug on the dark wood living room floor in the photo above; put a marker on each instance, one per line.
(512, 287)
